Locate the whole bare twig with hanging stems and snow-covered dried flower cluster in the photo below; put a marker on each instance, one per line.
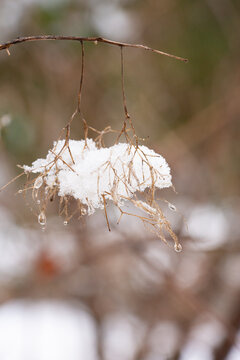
(92, 174)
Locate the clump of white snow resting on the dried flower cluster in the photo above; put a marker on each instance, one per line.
(93, 175)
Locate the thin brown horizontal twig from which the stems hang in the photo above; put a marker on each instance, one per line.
(20, 40)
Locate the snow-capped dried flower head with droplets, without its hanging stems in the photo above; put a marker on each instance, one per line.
(93, 175)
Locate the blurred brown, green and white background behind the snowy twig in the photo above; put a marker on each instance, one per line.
(77, 291)
